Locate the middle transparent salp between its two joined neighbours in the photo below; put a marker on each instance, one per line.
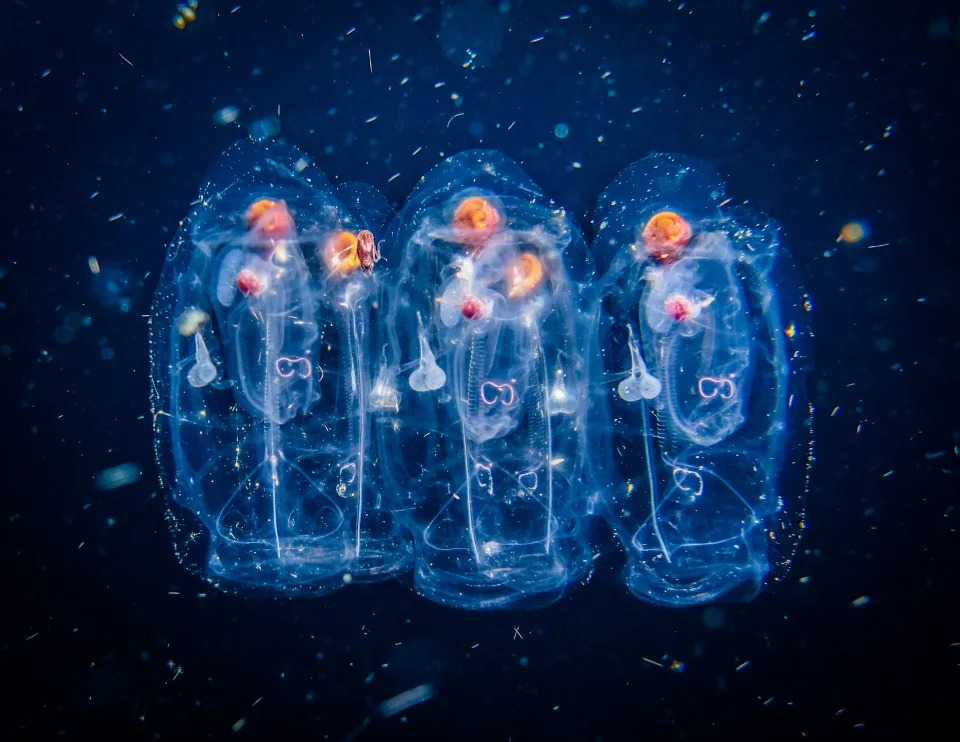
(482, 385)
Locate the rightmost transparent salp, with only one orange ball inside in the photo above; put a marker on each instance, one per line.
(699, 431)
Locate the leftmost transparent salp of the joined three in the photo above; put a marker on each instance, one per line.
(260, 338)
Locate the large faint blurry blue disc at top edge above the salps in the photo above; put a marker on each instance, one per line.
(471, 33)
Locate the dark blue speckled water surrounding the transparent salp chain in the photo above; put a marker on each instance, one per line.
(103, 633)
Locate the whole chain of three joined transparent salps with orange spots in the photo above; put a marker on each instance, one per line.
(323, 414)
